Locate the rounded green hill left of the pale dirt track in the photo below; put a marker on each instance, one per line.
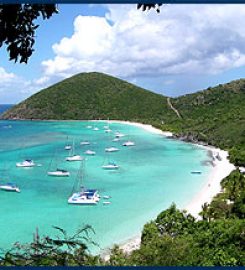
(92, 96)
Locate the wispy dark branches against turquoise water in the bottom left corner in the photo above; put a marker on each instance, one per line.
(63, 250)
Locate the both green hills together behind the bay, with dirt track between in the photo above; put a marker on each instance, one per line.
(214, 116)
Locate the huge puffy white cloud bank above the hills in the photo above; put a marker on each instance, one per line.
(130, 43)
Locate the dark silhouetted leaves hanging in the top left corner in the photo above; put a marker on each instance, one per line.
(18, 27)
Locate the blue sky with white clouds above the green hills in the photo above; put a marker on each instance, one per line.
(183, 49)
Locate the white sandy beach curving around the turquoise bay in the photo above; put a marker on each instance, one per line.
(220, 170)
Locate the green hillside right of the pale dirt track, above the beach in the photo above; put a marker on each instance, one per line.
(216, 116)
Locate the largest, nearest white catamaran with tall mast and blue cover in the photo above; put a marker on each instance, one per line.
(83, 196)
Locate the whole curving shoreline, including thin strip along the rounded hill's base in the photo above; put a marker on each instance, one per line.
(221, 169)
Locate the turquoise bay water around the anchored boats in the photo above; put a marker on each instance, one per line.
(153, 174)
